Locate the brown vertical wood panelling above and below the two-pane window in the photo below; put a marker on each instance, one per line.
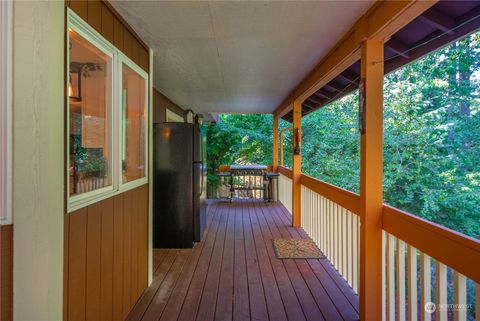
(106, 248)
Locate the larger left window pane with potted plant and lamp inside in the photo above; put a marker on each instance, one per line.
(90, 116)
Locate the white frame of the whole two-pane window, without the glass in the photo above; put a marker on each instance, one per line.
(77, 202)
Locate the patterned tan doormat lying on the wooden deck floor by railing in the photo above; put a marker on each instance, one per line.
(296, 249)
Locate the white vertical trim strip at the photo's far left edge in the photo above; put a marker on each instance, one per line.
(6, 29)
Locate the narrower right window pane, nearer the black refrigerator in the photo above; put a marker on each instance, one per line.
(133, 131)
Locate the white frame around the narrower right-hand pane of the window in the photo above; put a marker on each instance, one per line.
(123, 59)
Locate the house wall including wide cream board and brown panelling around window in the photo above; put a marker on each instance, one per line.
(42, 244)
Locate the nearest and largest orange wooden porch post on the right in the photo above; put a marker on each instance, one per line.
(371, 176)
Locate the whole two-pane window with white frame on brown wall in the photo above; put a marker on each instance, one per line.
(107, 118)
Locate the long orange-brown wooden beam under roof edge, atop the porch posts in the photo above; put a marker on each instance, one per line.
(381, 21)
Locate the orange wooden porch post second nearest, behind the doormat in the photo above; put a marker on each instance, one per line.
(296, 163)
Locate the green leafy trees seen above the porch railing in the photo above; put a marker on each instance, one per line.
(431, 138)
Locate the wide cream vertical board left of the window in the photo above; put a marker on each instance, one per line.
(38, 154)
